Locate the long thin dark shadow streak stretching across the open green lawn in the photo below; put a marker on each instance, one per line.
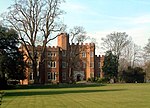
(55, 92)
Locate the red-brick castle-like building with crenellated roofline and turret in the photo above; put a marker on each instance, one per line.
(65, 62)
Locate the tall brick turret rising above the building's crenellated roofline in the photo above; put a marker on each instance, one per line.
(63, 41)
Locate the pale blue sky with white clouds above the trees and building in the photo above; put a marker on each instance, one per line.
(102, 17)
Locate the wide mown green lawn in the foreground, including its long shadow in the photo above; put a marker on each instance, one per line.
(95, 96)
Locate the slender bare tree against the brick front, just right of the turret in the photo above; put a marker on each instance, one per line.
(77, 37)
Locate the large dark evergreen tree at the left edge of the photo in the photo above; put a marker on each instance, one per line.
(12, 65)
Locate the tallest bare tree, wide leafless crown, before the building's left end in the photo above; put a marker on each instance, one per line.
(35, 20)
